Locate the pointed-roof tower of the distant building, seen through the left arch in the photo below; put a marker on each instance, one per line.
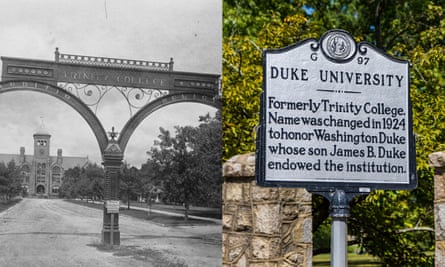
(42, 161)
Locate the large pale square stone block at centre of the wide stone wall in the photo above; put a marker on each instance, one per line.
(266, 218)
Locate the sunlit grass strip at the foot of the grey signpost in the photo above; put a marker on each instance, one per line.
(354, 260)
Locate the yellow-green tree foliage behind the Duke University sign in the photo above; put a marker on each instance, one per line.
(396, 226)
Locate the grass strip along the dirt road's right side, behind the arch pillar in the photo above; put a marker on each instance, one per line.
(158, 218)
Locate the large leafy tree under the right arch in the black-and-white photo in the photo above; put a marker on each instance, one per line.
(188, 163)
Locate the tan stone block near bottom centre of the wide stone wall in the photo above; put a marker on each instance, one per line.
(265, 248)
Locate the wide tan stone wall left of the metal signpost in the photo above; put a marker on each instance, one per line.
(267, 227)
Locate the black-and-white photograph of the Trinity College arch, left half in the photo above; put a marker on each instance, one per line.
(110, 152)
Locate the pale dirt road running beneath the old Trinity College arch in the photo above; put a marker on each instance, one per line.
(52, 232)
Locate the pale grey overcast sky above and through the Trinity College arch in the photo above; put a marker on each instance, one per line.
(188, 31)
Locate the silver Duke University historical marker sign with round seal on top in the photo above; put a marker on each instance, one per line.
(335, 114)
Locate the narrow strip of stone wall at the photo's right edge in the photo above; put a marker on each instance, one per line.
(437, 160)
